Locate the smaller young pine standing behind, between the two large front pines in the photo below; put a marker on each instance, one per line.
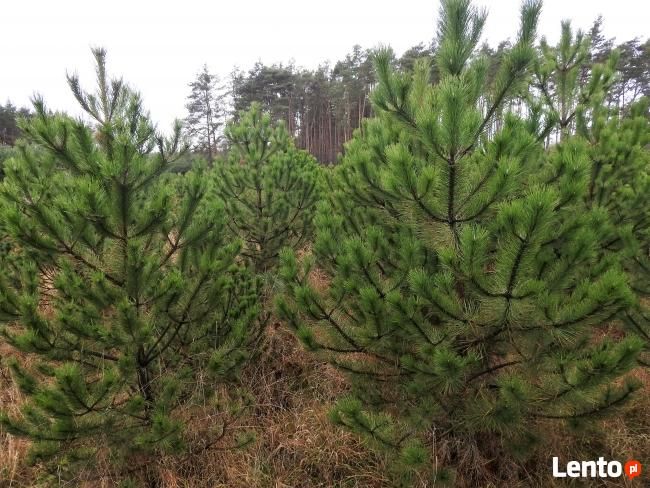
(269, 188)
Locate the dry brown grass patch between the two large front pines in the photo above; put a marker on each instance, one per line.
(296, 445)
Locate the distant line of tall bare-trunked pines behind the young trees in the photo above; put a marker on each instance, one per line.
(322, 107)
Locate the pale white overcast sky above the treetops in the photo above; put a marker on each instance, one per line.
(157, 46)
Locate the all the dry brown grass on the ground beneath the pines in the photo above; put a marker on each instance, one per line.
(297, 446)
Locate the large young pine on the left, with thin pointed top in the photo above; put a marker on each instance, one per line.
(123, 292)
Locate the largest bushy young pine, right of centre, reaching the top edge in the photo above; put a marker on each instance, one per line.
(466, 276)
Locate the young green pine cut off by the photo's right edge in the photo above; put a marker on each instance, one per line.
(619, 188)
